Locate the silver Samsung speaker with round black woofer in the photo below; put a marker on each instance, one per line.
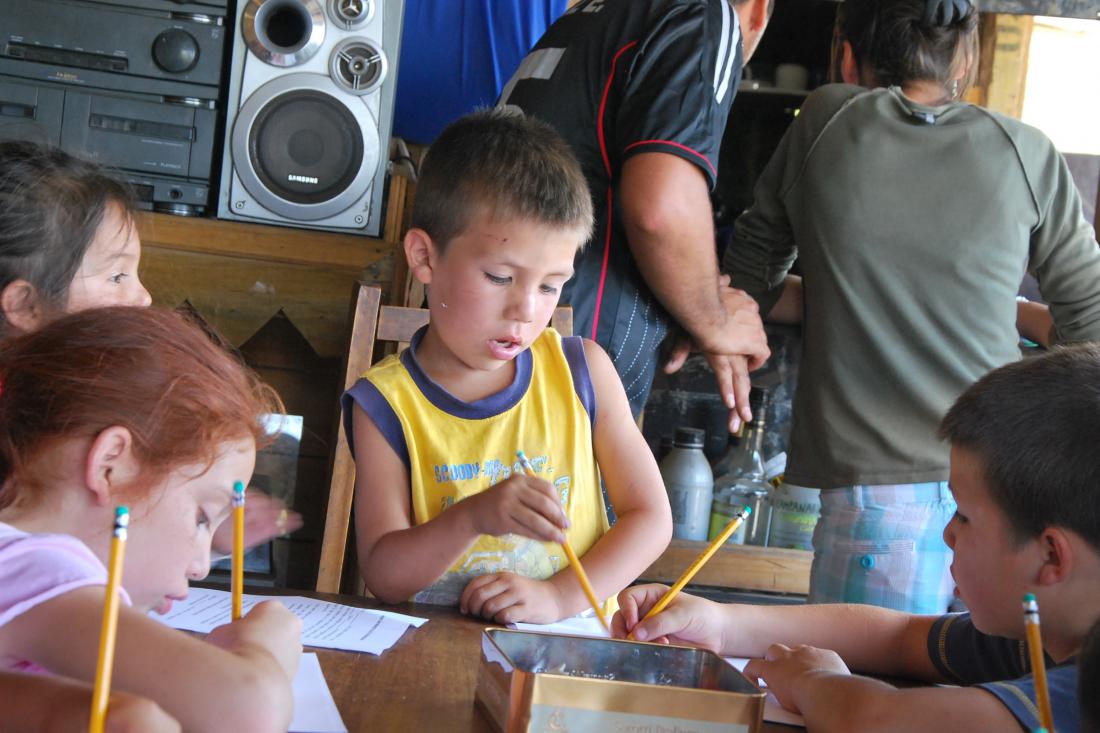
(310, 113)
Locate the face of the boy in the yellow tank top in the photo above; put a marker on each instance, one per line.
(501, 281)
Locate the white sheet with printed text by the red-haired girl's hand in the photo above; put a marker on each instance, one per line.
(325, 625)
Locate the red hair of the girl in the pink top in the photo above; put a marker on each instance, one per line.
(155, 373)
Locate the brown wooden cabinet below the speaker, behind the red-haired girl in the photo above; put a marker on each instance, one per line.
(281, 297)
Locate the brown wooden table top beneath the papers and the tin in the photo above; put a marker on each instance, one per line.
(424, 683)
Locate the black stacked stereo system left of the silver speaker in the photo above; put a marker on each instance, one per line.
(131, 84)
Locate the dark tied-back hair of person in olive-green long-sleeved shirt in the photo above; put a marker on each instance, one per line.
(898, 42)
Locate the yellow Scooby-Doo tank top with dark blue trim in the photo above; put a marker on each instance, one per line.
(456, 450)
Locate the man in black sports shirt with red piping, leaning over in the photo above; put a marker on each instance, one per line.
(642, 91)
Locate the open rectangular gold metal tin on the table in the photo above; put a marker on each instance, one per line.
(535, 682)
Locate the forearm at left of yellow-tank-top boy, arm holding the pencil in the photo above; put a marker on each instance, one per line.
(405, 562)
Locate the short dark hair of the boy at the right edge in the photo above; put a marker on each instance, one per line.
(1035, 425)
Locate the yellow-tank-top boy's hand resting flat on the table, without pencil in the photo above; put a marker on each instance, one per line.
(508, 598)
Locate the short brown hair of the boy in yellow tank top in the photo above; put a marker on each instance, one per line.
(513, 166)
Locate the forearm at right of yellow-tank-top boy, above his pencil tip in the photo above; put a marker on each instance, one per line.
(618, 559)
